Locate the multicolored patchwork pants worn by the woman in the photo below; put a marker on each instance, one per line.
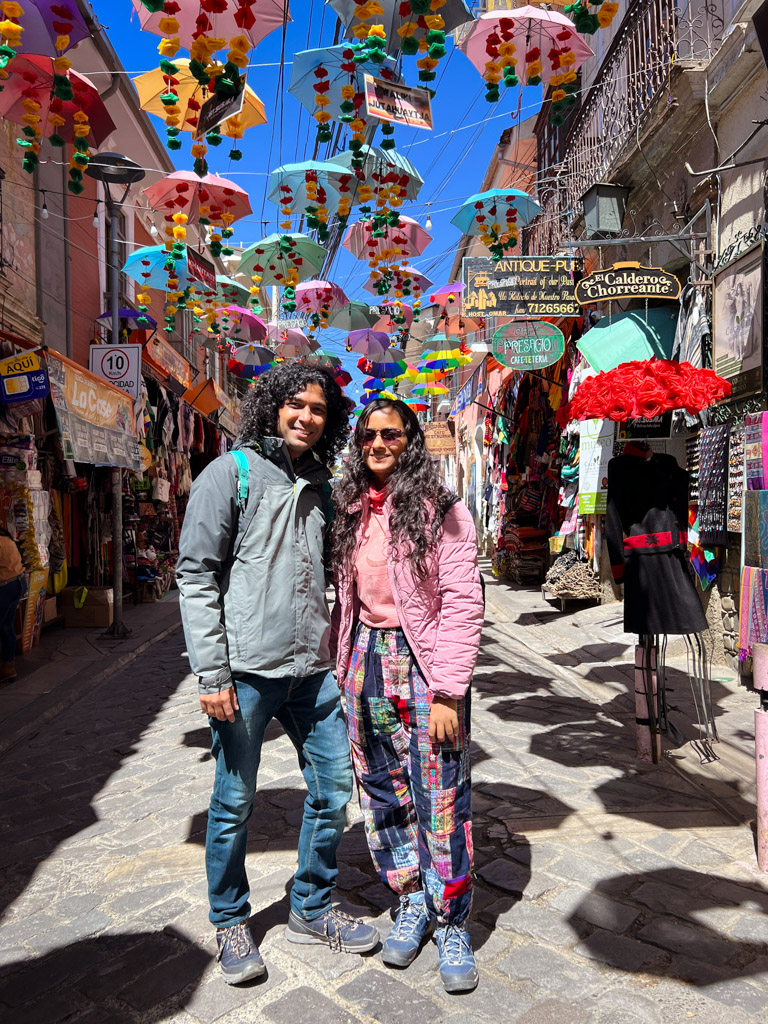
(415, 795)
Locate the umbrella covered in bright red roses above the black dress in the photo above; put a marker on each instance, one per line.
(646, 389)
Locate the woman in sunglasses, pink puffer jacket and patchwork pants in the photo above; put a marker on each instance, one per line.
(407, 628)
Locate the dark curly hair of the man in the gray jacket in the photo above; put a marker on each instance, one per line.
(273, 390)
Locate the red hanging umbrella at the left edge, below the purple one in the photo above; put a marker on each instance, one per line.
(33, 79)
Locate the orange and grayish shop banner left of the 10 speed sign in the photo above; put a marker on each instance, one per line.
(96, 420)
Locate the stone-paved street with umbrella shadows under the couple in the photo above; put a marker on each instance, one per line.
(609, 891)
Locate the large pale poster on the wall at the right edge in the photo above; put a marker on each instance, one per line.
(738, 323)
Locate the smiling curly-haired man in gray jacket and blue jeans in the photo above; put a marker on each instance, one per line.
(253, 604)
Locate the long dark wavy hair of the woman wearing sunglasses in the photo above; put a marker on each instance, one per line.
(420, 500)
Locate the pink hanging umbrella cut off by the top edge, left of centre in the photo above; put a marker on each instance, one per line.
(254, 20)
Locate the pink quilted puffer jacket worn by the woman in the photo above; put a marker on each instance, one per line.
(442, 616)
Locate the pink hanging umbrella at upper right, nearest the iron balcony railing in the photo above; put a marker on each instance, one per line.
(530, 46)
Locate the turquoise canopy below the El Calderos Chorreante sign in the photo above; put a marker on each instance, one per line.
(629, 336)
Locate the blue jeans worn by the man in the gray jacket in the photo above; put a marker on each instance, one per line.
(310, 711)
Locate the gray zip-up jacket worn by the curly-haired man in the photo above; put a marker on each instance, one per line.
(255, 603)
